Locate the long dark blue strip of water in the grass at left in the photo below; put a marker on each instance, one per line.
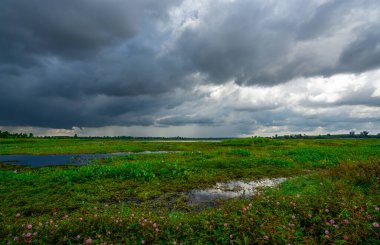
(65, 159)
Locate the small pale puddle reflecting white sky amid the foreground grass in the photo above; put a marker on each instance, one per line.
(231, 189)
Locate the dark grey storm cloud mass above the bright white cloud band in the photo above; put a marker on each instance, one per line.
(95, 63)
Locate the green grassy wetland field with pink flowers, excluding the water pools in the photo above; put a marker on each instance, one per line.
(331, 195)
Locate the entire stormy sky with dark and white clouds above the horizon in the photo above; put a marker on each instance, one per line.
(193, 68)
